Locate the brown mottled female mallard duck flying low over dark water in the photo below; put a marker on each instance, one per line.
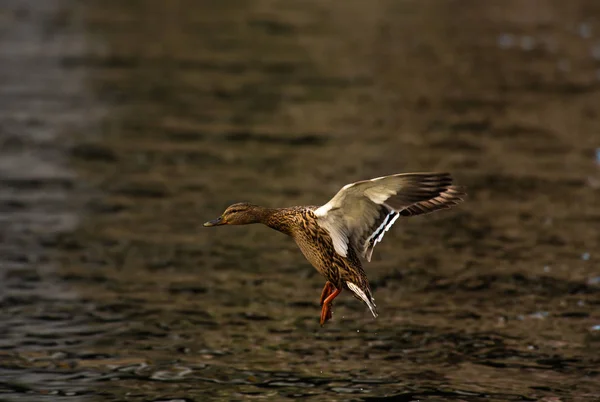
(335, 235)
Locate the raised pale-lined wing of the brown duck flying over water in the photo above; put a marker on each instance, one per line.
(360, 213)
